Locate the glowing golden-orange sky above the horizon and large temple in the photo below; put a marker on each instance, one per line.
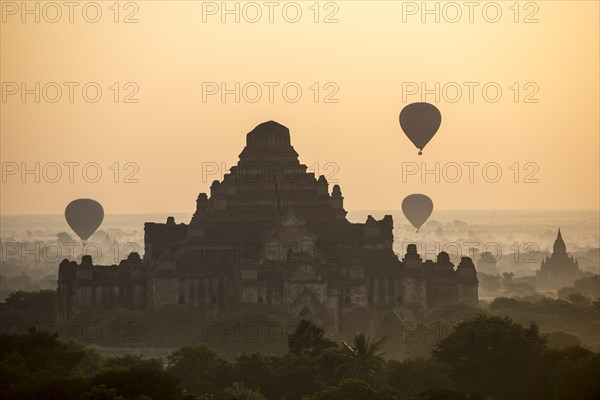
(543, 56)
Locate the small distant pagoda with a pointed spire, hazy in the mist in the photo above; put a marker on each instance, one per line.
(558, 270)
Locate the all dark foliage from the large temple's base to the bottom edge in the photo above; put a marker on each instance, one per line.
(456, 351)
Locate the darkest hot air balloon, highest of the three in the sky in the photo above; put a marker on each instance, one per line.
(420, 122)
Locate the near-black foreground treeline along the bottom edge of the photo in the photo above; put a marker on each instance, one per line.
(486, 357)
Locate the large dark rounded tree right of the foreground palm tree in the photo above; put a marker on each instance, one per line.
(492, 355)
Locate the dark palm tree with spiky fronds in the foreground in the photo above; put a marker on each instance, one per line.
(363, 359)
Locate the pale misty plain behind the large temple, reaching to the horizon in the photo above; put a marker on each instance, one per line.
(30, 257)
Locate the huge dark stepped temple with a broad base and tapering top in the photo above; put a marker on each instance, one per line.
(270, 232)
